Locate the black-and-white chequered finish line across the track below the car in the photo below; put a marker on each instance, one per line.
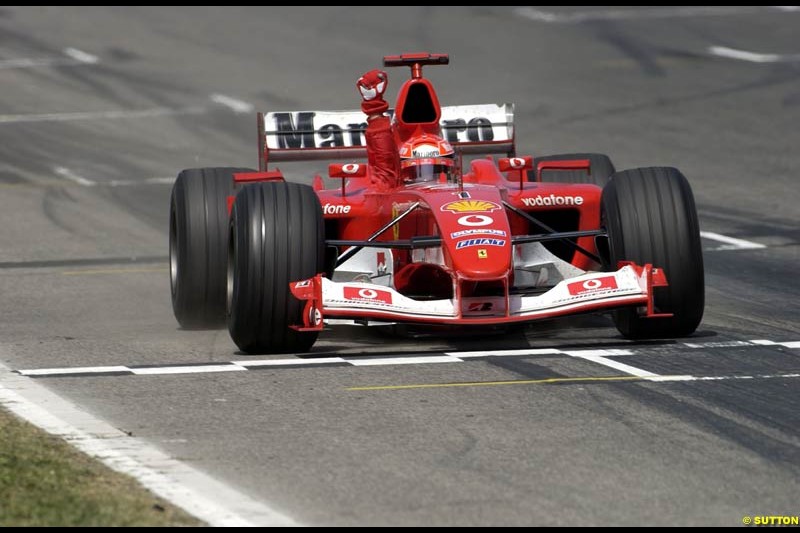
(605, 357)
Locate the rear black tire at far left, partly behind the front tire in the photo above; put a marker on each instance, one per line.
(198, 237)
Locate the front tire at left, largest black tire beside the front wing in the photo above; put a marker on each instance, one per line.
(277, 236)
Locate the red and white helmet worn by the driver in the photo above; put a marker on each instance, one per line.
(425, 157)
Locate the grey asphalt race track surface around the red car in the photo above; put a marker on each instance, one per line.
(102, 107)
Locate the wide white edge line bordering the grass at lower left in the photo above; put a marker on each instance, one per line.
(197, 493)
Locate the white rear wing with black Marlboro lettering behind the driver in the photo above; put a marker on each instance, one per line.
(307, 135)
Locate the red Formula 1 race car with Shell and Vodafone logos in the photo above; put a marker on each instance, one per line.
(505, 240)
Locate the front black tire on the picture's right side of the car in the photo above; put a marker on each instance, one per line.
(650, 217)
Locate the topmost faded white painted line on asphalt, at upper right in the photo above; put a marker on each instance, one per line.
(632, 14)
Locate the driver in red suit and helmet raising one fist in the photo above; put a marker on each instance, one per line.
(422, 158)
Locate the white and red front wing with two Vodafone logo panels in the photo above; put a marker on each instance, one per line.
(630, 285)
